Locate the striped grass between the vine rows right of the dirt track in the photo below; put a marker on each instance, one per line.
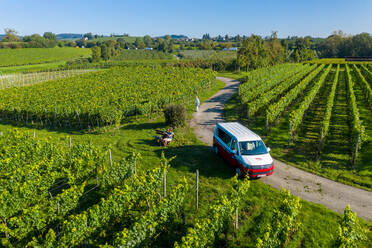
(335, 156)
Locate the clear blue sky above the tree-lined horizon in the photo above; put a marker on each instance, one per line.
(190, 17)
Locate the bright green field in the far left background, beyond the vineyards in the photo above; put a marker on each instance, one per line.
(27, 56)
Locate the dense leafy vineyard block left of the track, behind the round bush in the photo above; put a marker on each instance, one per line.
(106, 97)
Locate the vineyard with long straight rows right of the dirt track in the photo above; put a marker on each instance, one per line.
(333, 159)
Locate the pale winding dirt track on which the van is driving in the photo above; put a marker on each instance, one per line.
(332, 195)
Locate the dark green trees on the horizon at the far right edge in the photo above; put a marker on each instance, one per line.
(340, 45)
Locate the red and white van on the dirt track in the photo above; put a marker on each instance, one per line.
(243, 150)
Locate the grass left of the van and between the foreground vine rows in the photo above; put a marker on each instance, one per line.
(319, 224)
